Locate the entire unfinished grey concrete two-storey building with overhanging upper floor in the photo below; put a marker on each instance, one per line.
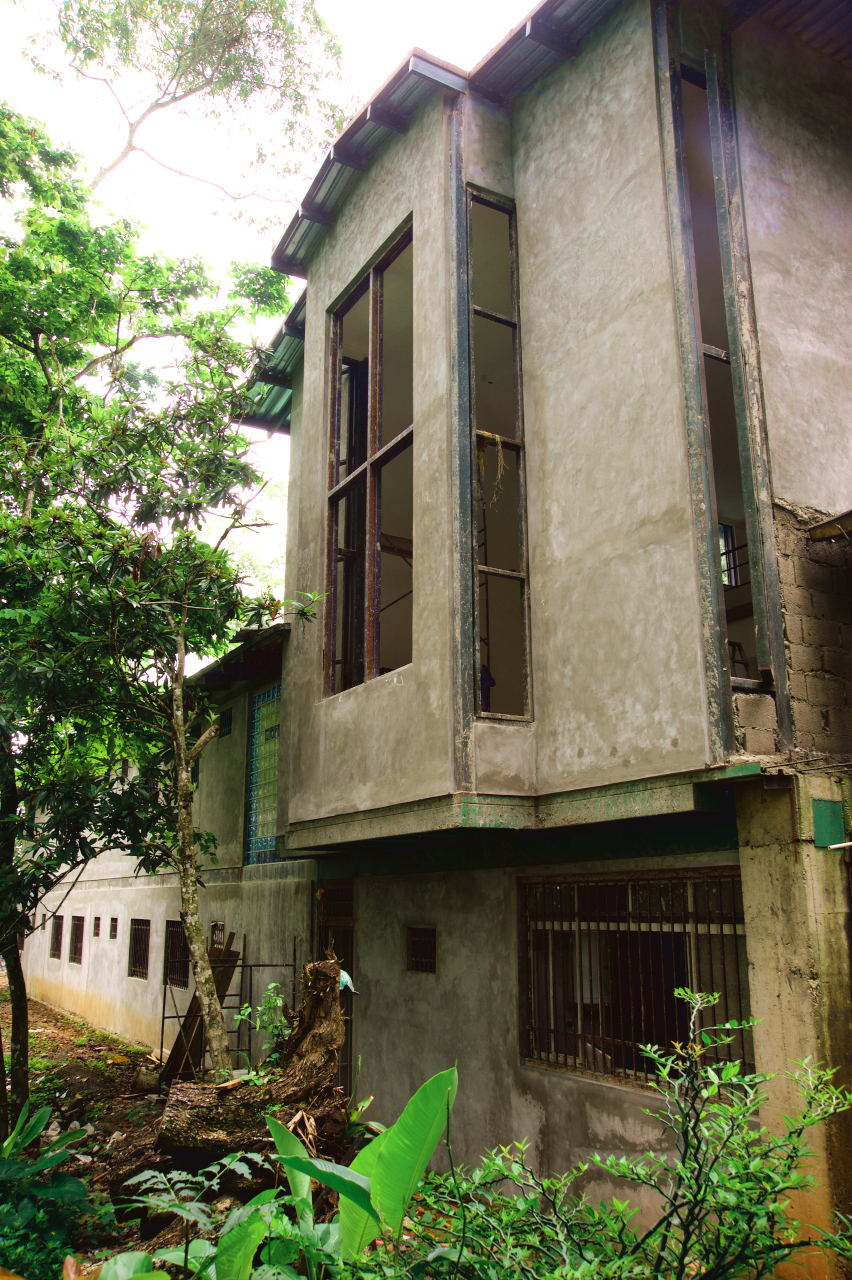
(570, 394)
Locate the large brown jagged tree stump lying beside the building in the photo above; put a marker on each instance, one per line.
(218, 1121)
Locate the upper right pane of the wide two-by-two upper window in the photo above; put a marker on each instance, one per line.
(397, 348)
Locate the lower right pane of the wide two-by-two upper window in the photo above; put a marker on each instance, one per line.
(396, 601)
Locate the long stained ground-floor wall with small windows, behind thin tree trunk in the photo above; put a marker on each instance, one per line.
(271, 906)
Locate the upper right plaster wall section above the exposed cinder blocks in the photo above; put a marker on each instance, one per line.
(795, 126)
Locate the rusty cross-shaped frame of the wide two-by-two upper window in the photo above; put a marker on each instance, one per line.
(368, 473)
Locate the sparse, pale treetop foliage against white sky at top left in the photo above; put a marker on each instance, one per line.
(226, 56)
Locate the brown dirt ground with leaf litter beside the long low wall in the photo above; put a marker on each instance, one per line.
(91, 1080)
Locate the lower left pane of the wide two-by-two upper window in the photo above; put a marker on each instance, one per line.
(350, 587)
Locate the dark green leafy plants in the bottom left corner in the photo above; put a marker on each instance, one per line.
(40, 1205)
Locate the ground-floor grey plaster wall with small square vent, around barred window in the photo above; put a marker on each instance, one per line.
(410, 1026)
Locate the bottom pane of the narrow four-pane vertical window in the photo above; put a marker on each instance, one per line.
(502, 644)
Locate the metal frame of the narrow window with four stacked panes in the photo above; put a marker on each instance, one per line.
(478, 196)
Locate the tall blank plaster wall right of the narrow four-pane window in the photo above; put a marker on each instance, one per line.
(616, 630)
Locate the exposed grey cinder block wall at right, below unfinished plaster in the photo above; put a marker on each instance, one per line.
(817, 598)
